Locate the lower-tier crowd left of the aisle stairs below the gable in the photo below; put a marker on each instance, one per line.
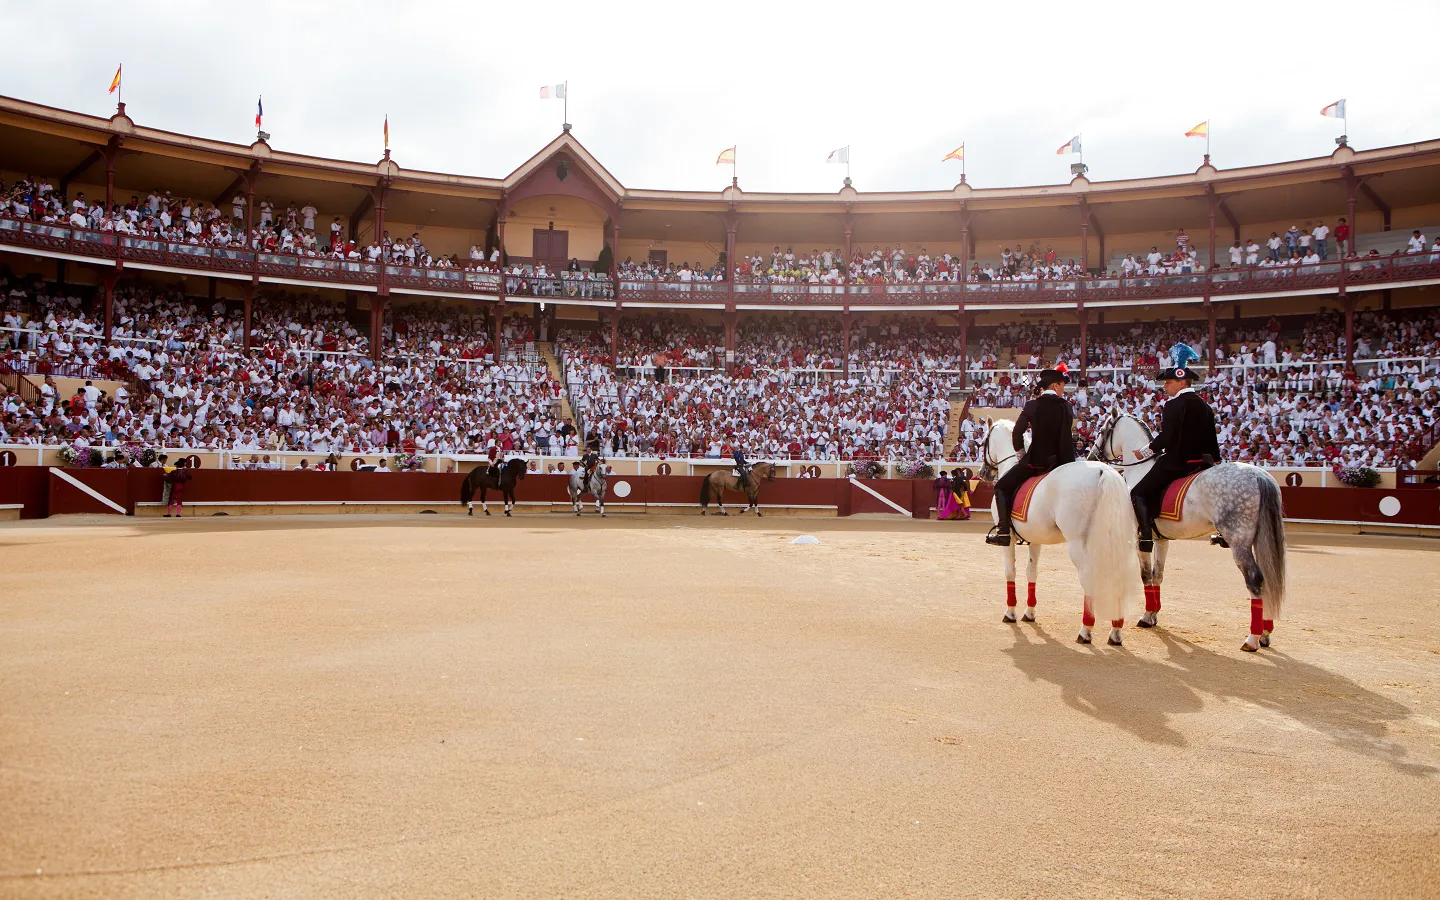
(307, 382)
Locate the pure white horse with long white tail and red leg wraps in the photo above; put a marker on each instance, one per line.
(1081, 505)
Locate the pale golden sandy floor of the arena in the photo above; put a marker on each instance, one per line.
(652, 706)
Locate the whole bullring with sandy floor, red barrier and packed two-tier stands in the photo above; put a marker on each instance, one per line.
(251, 644)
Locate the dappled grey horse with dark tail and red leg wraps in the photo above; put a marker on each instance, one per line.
(1238, 500)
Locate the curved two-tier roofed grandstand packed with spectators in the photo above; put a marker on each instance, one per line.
(243, 300)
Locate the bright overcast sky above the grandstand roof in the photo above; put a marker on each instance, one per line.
(657, 91)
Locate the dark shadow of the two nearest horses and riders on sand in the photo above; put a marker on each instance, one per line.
(1141, 696)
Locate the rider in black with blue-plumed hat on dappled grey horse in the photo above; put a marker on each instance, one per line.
(1187, 444)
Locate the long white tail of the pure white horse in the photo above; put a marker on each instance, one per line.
(1110, 551)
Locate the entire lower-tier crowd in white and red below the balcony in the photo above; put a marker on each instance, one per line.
(309, 382)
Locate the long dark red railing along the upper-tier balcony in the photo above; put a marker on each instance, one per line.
(1357, 273)
